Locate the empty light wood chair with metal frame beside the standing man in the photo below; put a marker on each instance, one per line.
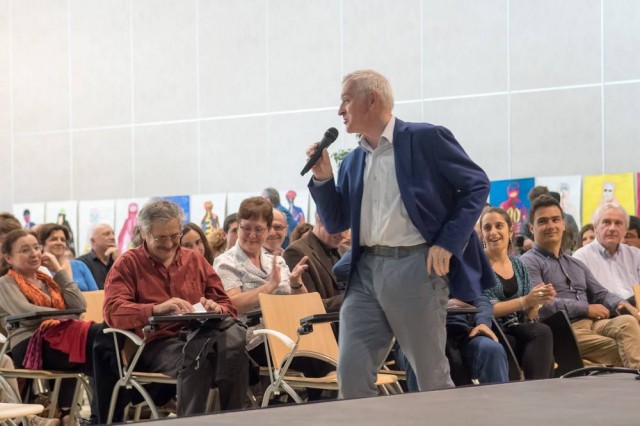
(286, 339)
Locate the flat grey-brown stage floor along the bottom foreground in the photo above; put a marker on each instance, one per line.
(598, 400)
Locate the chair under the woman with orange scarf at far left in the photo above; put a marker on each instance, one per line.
(13, 322)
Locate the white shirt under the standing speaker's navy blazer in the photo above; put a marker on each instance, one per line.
(383, 218)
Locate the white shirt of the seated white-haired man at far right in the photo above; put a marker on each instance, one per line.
(617, 273)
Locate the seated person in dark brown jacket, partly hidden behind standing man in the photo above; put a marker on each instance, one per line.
(321, 248)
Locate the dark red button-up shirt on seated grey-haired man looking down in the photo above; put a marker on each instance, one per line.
(136, 283)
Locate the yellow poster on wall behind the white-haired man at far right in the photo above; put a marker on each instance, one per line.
(600, 189)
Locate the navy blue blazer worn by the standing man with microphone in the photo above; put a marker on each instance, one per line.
(442, 189)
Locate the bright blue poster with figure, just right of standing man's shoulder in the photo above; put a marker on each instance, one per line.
(511, 195)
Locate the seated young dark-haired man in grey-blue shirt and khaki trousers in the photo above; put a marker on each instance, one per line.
(603, 338)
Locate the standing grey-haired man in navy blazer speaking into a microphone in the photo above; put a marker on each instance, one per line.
(411, 196)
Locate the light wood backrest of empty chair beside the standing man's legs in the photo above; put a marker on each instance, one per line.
(283, 313)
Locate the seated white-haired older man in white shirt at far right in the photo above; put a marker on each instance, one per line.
(615, 265)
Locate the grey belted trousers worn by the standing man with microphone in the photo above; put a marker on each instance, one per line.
(387, 297)
